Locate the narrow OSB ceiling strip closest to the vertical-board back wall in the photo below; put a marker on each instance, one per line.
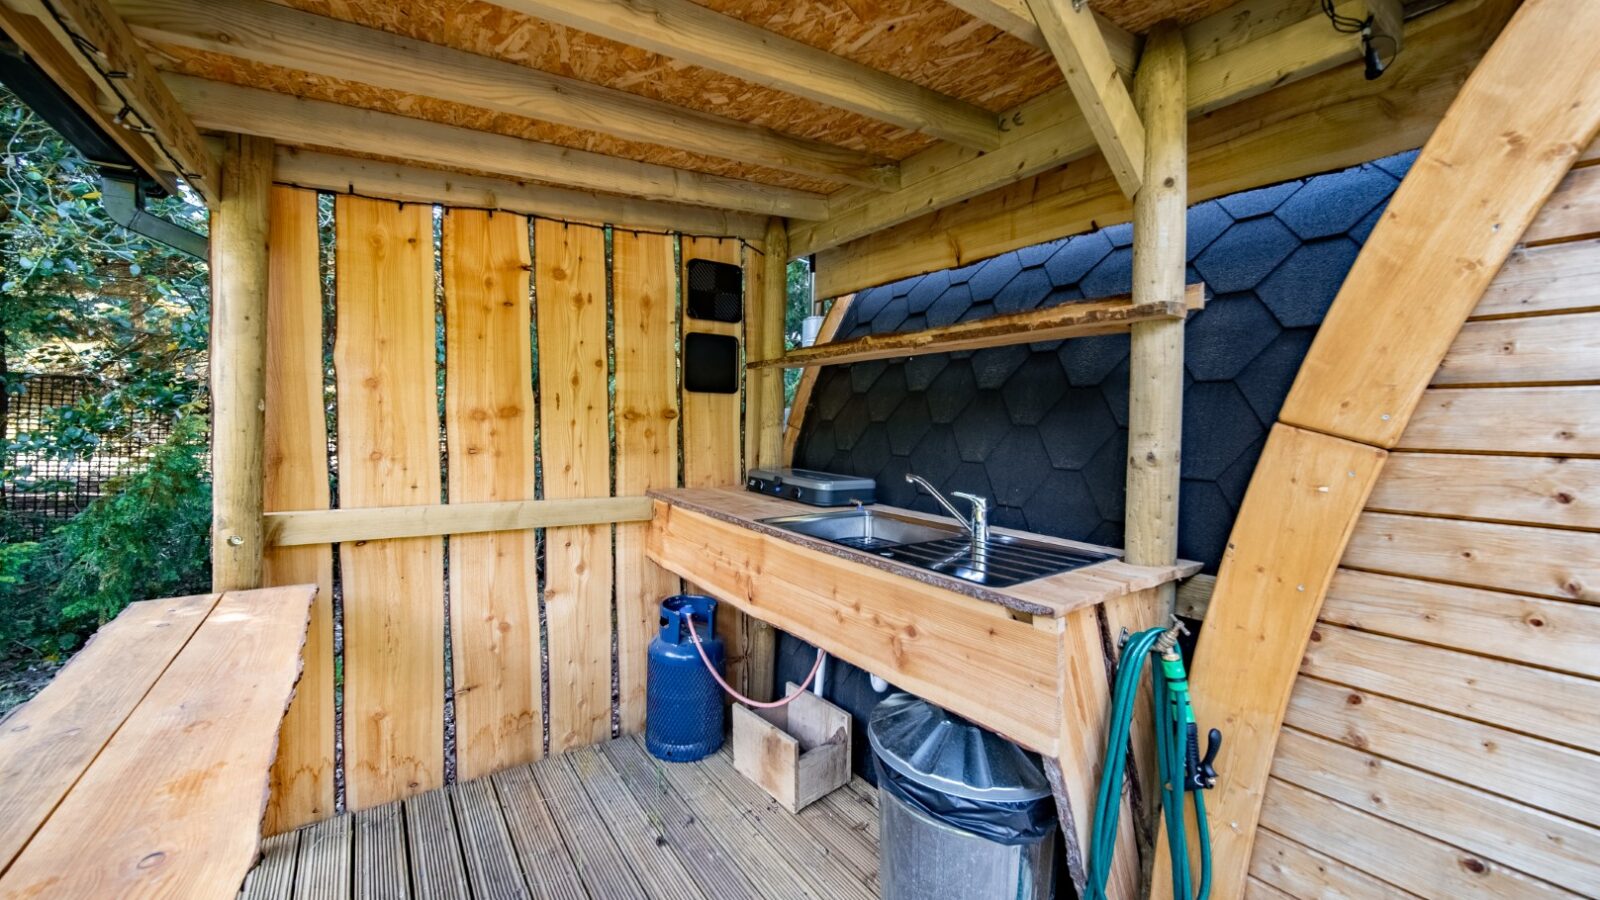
(350, 94)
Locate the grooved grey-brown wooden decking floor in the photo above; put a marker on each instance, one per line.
(606, 822)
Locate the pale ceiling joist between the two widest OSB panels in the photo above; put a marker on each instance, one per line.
(724, 44)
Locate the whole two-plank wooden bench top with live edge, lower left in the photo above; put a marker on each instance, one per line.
(143, 768)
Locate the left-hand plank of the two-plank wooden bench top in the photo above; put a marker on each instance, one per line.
(49, 742)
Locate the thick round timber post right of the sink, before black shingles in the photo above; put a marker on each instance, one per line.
(1156, 396)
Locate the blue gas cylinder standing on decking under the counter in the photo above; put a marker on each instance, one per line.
(682, 702)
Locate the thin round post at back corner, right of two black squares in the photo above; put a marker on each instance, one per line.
(761, 646)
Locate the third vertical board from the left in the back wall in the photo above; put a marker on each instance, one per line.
(489, 425)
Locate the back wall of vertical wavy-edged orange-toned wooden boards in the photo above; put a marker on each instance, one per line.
(540, 321)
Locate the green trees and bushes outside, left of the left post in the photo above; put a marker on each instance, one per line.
(79, 295)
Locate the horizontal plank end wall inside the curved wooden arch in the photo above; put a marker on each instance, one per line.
(1441, 741)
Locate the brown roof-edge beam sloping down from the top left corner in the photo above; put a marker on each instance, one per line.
(113, 66)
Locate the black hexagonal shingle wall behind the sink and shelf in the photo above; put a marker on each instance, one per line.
(1042, 430)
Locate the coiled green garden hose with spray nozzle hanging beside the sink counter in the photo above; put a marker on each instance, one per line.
(1178, 763)
